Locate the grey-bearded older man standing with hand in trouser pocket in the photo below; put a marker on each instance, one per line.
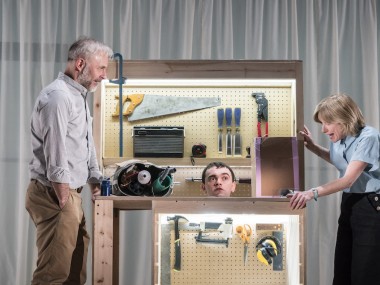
(63, 162)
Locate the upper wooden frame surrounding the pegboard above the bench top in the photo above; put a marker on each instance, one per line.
(215, 69)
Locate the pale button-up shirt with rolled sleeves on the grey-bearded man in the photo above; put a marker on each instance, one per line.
(62, 142)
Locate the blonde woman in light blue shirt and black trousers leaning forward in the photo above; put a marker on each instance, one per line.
(354, 150)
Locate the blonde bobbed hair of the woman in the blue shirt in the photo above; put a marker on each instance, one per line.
(340, 108)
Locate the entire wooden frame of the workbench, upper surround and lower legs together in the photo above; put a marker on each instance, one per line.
(106, 213)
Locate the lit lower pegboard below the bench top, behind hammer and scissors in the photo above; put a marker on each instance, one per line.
(208, 263)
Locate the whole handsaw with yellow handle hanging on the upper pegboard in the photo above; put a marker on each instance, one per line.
(143, 106)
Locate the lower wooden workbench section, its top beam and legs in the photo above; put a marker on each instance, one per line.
(106, 224)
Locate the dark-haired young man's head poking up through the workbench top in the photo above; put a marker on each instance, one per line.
(218, 179)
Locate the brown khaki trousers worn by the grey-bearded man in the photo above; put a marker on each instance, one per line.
(62, 239)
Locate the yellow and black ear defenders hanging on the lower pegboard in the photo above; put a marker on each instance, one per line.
(267, 248)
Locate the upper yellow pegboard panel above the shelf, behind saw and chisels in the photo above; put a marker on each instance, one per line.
(201, 125)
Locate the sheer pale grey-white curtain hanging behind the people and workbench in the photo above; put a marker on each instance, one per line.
(338, 42)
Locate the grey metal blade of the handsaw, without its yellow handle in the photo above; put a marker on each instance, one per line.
(159, 105)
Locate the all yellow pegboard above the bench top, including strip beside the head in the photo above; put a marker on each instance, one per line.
(200, 126)
